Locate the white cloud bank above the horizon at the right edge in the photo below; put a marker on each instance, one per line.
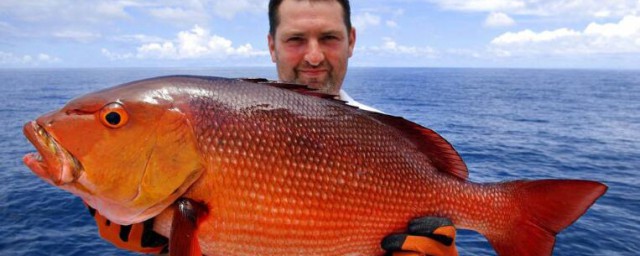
(610, 38)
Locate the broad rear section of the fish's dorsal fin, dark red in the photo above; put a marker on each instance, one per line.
(441, 153)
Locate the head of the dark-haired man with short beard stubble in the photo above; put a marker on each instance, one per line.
(311, 44)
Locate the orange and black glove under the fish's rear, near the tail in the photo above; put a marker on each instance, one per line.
(425, 236)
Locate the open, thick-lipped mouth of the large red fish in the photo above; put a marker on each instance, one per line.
(51, 162)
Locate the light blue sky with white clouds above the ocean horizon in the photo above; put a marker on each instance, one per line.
(592, 34)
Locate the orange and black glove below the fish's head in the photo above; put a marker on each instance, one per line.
(138, 237)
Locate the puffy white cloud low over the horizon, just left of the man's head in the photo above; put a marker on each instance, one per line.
(196, 43)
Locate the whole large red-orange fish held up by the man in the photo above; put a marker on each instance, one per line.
(281, 170)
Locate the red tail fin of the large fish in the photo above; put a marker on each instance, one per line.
(547, 207)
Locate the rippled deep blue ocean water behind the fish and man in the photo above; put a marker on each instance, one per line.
(506, 123)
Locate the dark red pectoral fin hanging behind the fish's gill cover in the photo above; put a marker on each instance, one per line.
(183, 239)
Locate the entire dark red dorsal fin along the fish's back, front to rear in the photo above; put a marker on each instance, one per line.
(443, 156)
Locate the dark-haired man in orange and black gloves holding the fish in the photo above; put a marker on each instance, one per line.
(310, 42)
